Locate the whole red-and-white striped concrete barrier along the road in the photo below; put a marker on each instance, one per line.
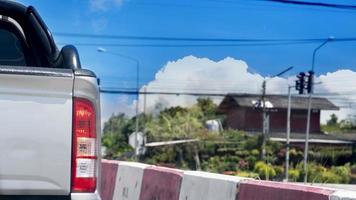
(136, 181)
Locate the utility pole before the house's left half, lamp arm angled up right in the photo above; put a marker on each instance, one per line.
(265, 114)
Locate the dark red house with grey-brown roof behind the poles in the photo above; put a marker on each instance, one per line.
(243, 114)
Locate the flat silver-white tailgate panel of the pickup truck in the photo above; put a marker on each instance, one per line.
(36, 131)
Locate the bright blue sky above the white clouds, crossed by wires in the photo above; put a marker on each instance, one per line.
(200, 19)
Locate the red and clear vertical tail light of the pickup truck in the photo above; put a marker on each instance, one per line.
(84, 160)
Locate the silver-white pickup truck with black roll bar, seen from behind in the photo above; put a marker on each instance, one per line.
(49, 113)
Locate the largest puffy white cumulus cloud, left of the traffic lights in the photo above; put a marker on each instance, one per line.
(191, 74)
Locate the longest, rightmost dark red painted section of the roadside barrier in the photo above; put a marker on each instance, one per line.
(267, 190)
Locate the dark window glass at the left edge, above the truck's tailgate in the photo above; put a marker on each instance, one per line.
(11, 51)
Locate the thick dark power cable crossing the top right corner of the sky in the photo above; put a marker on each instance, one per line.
(314, 4)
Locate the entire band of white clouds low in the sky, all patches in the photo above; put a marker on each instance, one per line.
(229, 75)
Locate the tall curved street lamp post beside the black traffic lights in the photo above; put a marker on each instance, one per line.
(306, 148)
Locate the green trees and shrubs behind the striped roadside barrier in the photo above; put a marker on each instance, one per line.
(229, 151)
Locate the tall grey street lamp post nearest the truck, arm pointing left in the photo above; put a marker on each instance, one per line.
(103, 50)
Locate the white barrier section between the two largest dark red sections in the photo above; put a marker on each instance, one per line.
(208, 186)
